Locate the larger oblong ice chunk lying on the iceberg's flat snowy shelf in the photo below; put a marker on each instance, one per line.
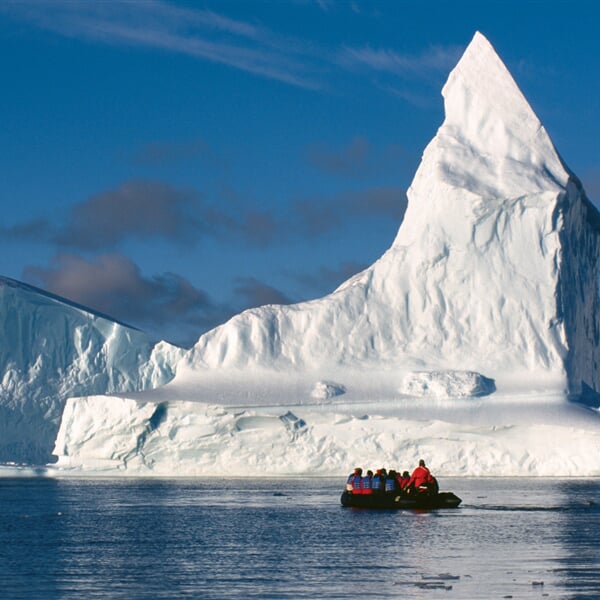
(447, 384)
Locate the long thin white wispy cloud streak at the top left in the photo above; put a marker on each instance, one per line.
(195, 32)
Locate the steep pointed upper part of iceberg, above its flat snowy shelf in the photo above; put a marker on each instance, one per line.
(494, 269)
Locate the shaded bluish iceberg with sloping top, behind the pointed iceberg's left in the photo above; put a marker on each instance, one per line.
(51, 349)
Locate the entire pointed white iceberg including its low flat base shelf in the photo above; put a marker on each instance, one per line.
(464, 342)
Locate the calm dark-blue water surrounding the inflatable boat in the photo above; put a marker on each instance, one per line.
(288, 539)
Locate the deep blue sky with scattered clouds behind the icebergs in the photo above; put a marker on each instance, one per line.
(173, 163)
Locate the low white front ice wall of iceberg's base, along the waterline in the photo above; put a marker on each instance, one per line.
(112, 436)
